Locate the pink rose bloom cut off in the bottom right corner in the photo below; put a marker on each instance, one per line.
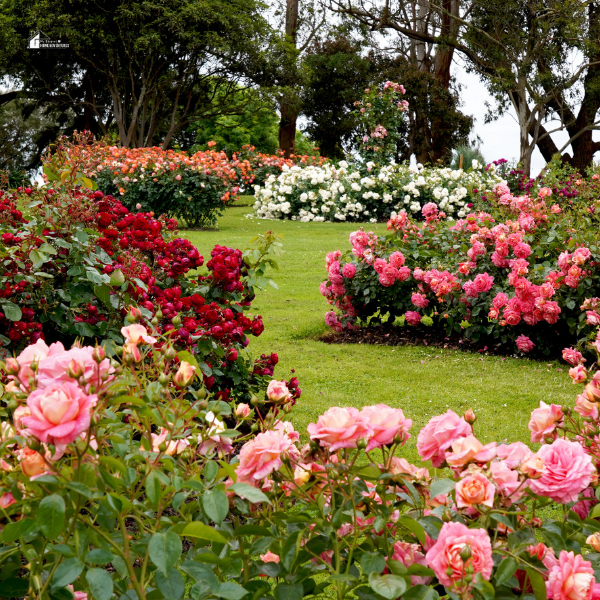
(572, 578)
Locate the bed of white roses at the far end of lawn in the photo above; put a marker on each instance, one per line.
(343, 193)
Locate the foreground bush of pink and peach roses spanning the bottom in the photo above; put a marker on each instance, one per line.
(140, 483)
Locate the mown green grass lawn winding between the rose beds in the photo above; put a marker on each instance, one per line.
(423, 382)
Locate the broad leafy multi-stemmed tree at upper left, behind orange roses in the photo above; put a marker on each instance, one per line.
(146, 69)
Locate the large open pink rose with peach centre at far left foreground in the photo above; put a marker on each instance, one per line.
(59, 413)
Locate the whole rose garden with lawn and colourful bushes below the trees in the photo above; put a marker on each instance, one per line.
(368, 380)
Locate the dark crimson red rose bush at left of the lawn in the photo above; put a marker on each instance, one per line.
(81, 259)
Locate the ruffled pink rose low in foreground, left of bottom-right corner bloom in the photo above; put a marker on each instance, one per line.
(444, 557)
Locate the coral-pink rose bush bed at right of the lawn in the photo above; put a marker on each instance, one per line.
(530, 275)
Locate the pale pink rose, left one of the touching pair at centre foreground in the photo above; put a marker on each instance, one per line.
(339, 428)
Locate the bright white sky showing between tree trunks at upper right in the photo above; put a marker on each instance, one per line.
(500, 139)
